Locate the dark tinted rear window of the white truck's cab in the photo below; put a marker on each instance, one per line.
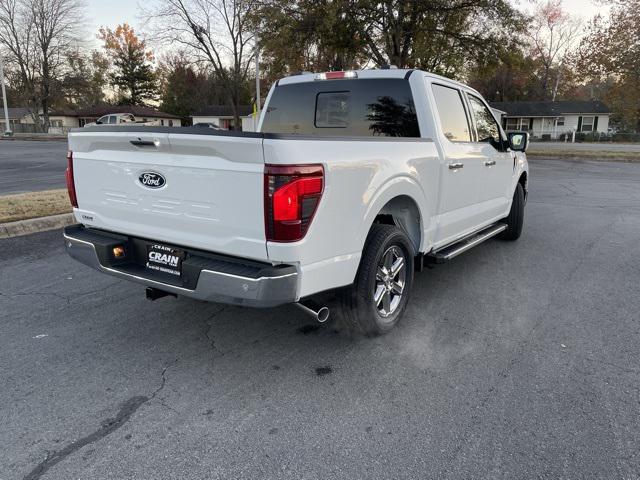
(343, 108)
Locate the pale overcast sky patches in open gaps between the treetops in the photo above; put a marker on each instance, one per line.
(112, 12)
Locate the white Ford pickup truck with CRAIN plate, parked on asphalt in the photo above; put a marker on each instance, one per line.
(353, 180)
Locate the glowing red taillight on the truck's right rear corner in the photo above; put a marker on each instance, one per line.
(291, 196)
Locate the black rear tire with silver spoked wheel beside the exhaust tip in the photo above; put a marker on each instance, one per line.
(359, 310)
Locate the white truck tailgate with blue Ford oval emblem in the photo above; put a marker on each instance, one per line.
(205, 190)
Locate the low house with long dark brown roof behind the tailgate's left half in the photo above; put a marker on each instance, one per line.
(62, 120)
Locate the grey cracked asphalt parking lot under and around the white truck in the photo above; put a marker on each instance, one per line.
(515, 360)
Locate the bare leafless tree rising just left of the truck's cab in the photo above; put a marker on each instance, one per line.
(217, 31)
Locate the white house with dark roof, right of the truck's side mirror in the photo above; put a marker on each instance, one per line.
(553, 120)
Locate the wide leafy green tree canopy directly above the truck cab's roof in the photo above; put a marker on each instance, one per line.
(443, 36)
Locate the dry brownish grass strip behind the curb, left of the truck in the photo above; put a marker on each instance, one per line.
(33, 205)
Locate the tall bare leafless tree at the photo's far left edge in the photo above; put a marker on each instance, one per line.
(37, 35)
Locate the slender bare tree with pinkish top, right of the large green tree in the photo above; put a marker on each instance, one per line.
(553, 33)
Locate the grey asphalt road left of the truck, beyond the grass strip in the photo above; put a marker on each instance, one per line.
(31, 166)
